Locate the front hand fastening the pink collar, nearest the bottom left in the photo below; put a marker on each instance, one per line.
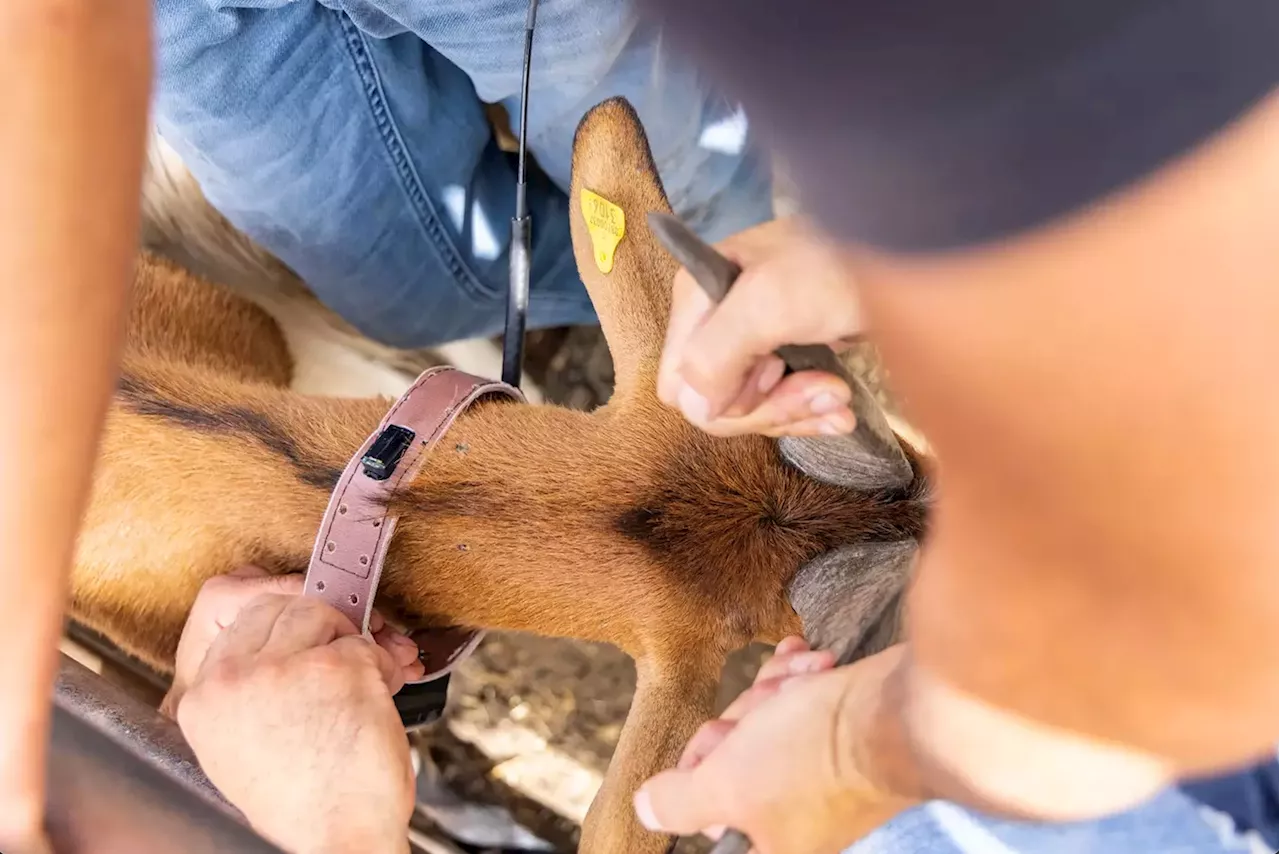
(291, 716)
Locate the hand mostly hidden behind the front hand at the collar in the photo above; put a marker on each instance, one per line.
(223, 597)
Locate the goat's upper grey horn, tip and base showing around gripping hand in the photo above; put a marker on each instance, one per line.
(868, 459)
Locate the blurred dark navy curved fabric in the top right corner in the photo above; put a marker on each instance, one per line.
(929, 125)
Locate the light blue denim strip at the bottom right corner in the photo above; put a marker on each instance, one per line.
(1232, 815)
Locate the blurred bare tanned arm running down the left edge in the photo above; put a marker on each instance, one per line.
(74, 102)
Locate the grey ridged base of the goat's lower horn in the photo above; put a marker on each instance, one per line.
(844, 597)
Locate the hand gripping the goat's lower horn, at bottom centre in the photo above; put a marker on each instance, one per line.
(781, 764)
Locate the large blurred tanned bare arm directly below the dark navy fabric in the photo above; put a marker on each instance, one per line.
(1103, 555)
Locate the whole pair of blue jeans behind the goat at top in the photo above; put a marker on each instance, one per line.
(349, 139)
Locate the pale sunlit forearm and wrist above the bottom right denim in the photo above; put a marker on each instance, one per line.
(915, 739)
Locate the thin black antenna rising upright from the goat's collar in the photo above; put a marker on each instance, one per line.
(522, 231)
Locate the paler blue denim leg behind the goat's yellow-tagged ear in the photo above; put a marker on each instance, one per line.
(587, 52)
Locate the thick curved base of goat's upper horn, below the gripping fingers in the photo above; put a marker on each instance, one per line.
(870, 459)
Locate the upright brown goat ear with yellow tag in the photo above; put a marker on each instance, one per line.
(627, 272)
